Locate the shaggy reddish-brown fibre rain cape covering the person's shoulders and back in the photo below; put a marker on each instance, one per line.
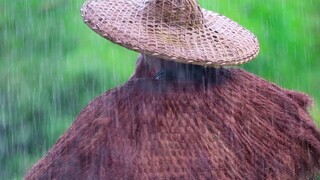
(241, 128)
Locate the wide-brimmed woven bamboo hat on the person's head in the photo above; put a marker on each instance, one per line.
(177, 30)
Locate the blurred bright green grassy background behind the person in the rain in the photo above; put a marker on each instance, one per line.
(52, 65)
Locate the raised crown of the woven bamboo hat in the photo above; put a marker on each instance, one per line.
(186, 13)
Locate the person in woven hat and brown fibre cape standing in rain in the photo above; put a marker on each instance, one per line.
(181, 114)
